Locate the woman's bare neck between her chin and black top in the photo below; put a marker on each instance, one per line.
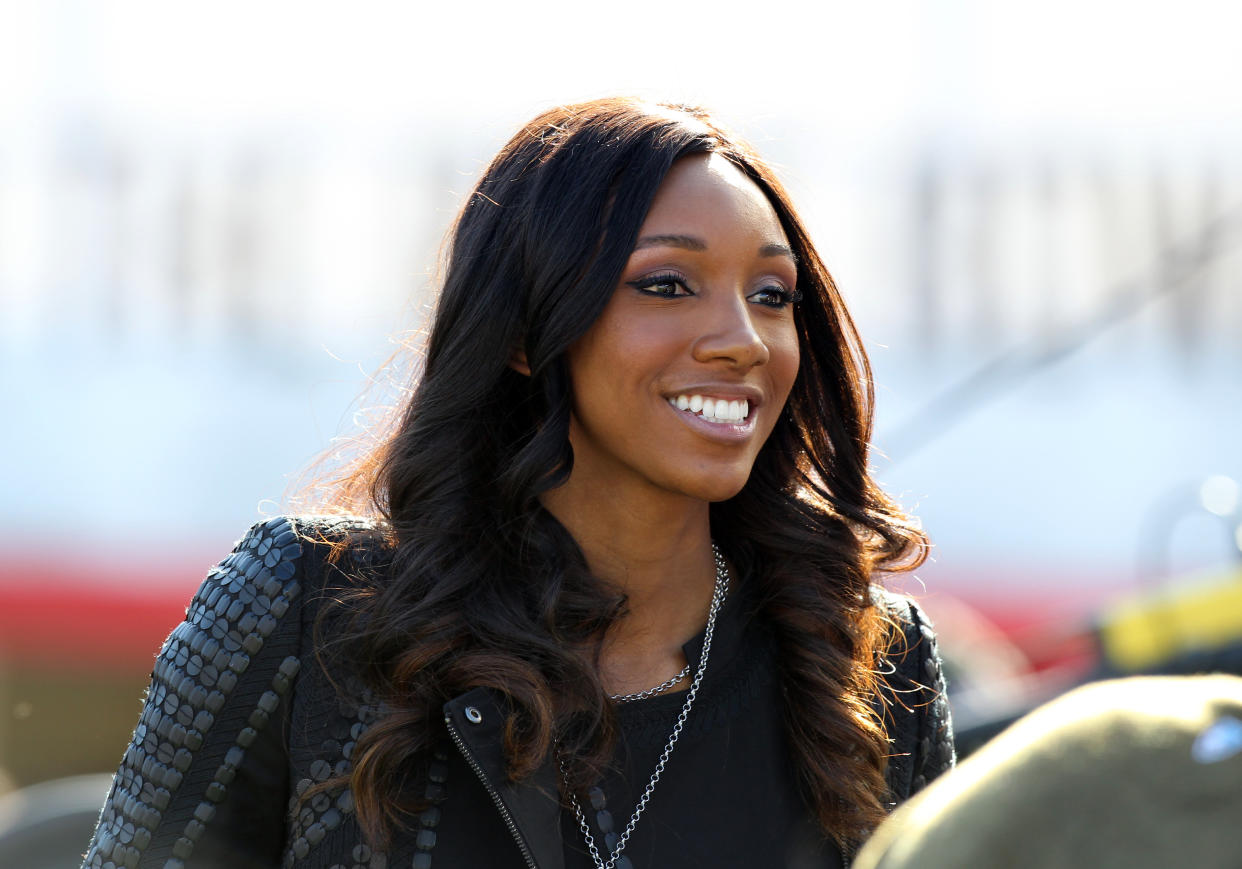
(659, 553)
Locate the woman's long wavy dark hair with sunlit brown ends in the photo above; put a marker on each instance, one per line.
(486, 588)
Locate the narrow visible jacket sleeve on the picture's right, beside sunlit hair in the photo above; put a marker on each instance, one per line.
(913, 703)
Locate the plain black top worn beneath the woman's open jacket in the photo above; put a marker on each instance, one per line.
(727, 796)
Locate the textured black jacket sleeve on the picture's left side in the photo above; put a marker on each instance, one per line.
(204, 781)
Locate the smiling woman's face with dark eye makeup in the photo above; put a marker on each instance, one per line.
(685, 374)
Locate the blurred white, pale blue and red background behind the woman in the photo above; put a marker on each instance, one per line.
(217, 224)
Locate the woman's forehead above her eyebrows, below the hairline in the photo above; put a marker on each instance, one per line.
(709, 188)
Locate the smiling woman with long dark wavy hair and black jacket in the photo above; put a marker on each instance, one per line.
(615, 605)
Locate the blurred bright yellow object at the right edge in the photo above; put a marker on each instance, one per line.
(1198, 615)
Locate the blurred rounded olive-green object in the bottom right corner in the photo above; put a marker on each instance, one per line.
(1141, 773)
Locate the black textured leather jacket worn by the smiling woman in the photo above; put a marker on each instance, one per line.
(242, 721)
